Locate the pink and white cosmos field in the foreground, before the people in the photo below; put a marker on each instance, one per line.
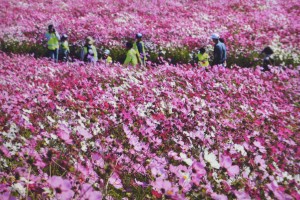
(75, 131)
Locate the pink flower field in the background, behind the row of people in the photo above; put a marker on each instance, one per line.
(247, 26)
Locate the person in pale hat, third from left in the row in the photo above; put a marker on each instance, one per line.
(89, 51)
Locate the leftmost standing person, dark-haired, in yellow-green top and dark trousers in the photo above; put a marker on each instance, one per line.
(53, 38)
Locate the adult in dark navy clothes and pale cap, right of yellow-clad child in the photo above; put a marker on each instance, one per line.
(219, 51)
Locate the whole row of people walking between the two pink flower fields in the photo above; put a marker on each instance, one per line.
(58, 48)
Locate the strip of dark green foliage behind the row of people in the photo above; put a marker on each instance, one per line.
(177, 55)
